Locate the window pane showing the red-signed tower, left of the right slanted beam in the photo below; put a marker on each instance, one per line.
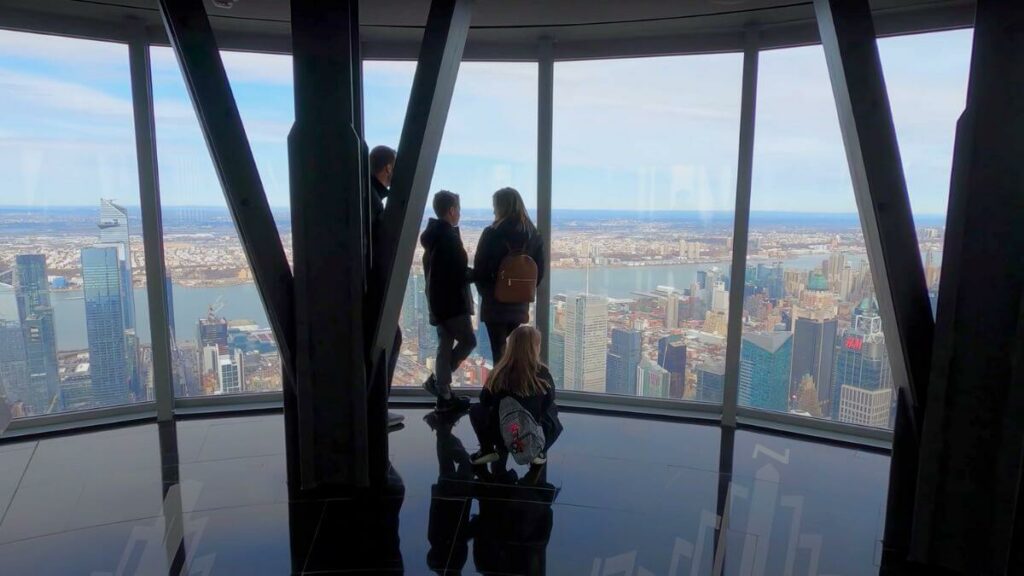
(813, 342)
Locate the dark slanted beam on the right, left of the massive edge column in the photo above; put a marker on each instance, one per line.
(877, 171)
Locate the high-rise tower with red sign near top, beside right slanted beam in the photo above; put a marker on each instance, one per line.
(863, 380)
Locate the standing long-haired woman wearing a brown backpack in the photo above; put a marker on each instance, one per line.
(508, 267)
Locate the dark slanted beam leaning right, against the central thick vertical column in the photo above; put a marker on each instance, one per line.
(434, 85)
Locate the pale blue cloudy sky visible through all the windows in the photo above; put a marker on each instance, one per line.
(642, 135)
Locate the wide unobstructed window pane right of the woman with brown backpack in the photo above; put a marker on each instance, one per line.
(644, 193)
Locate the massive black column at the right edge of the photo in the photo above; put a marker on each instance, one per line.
(968, 515)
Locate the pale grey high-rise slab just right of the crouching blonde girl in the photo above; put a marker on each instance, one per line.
(586, 343)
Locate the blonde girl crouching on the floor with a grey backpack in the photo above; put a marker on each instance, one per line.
(518, 413)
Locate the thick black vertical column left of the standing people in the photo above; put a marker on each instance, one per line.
(328, 192)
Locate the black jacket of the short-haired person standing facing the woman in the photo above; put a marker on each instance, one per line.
(447, 269)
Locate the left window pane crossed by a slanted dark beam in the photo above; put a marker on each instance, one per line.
(222, 340)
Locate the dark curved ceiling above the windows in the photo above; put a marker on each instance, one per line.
(503, 29)
